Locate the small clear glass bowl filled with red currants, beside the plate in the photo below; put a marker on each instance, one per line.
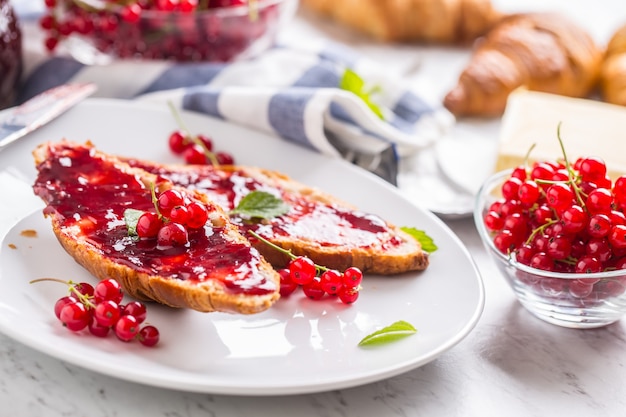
(557, 232)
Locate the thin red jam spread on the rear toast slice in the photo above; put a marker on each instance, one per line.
(309, 220)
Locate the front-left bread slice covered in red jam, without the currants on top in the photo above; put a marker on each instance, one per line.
(217, 287)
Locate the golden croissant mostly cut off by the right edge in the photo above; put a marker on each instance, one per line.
(613, 71)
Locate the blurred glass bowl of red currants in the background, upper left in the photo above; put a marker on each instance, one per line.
(100, 31)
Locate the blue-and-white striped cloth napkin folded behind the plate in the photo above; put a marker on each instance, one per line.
(291, 92)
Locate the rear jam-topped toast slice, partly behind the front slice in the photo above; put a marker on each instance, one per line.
(318, 225)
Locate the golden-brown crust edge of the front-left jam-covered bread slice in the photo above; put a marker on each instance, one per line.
(207, 295)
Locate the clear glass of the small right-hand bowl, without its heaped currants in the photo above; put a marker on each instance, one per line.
(566, 299)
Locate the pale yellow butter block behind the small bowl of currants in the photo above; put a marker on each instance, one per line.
(588, 128)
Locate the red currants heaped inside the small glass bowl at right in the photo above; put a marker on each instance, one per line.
(562, 218)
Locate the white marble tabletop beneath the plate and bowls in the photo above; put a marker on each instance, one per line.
(512, 364)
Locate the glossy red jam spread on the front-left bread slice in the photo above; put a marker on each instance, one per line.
(85, 191)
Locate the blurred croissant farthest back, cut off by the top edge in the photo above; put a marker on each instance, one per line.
(437, 21)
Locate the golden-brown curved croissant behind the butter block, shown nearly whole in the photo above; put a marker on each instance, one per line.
(539, 51)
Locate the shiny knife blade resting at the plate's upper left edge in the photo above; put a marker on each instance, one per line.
(41, 109)
